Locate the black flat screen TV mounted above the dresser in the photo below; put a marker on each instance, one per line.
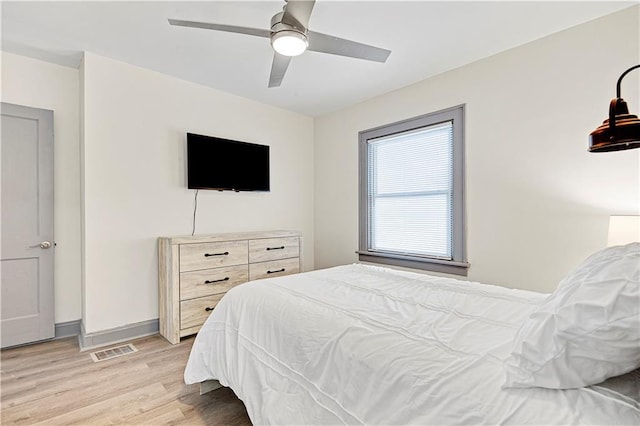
(226, 165)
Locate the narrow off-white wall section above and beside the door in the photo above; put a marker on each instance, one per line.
(44, 85)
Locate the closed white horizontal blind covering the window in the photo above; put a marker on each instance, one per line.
(410, 192)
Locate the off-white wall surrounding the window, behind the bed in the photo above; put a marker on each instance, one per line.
(537, 201)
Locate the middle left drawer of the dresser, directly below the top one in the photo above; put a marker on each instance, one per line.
(206, 282)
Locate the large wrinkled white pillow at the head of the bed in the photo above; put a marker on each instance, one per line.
(586, 331)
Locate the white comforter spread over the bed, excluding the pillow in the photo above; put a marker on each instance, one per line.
(367, 345)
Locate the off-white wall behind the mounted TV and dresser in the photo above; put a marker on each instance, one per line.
(135, 124)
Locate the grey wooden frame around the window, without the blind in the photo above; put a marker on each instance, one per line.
(458, 265)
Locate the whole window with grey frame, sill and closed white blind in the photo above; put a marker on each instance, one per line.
(412, 193)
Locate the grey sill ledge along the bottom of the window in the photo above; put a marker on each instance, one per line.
(415, 262)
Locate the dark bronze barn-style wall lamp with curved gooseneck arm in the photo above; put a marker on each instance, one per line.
(621, 130)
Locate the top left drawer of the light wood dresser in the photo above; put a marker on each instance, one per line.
(212, 255)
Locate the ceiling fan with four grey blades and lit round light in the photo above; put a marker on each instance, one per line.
(290, 37)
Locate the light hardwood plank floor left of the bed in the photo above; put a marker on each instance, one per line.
(53, 383)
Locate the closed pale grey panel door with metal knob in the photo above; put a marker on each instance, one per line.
(26, 252)
